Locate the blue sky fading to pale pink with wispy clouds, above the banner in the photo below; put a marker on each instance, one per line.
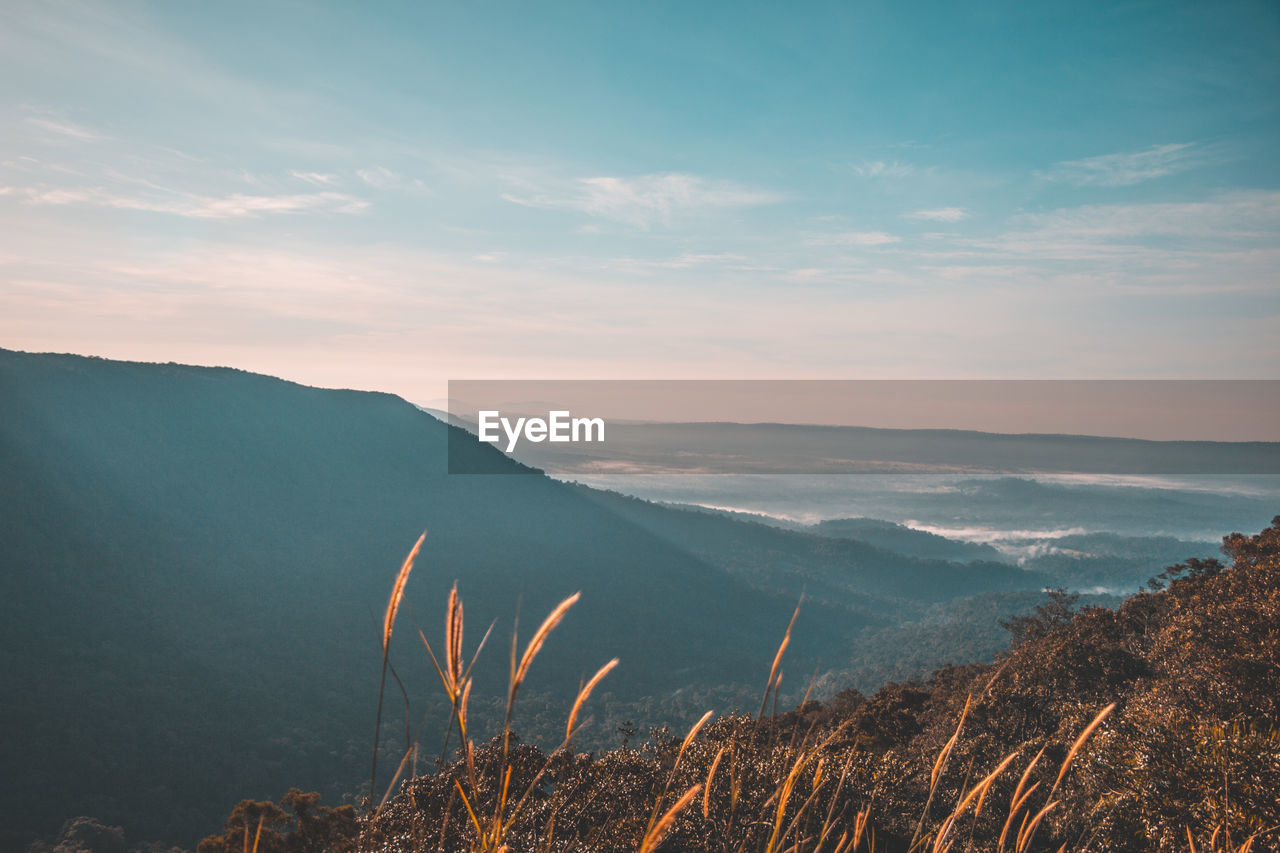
(388, 197)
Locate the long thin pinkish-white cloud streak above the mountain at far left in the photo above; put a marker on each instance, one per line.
(196, 207)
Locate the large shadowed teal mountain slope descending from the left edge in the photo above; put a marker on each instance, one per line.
(194, 563)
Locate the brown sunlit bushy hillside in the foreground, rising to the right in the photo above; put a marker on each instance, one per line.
(1149, 728)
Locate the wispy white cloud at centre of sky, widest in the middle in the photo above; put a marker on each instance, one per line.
(643, 200)
